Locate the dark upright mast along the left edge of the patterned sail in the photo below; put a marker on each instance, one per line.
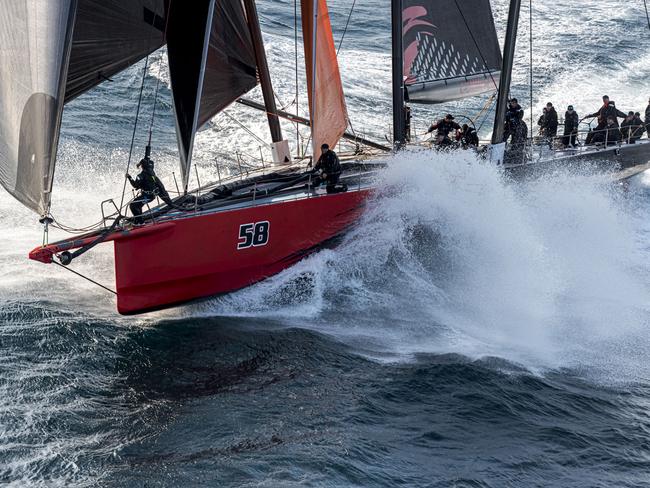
(399, 122)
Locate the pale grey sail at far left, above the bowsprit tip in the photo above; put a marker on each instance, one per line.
(35, 43)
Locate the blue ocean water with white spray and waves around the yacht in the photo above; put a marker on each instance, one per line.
(468, 332)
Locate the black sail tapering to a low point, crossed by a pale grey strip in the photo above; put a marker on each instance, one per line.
(211, 64)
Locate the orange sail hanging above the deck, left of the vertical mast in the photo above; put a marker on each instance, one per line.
(329, 116)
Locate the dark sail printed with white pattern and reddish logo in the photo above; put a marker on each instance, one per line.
(451, 50)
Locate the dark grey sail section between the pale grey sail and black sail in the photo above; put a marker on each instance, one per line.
(111, 35)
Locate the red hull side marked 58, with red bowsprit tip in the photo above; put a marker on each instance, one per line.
(175, 261)
